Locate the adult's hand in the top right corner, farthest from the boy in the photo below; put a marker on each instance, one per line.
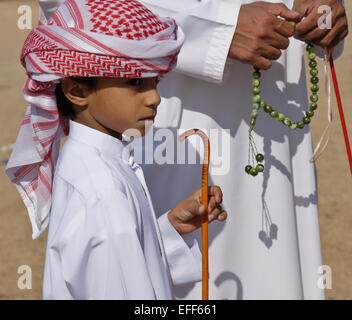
(308, 29)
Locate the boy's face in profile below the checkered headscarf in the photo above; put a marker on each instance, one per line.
(116, 105)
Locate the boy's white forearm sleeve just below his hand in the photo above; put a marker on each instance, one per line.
(182, 253)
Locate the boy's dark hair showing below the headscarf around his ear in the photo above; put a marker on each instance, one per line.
(64, 105)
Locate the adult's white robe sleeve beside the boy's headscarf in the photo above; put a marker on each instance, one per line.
(209, 27)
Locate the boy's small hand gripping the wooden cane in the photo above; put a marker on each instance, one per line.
(186, 216)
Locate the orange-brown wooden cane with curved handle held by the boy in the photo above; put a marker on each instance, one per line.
(205, 259)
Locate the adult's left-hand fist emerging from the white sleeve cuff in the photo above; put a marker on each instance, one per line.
(260, 34)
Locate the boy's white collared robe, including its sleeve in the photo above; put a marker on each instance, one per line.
(104, 240)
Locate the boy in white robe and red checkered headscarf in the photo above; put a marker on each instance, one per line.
(93, 71)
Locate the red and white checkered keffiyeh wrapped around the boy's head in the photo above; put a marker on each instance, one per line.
(83, 38)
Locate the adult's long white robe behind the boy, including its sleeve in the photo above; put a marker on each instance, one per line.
(209, 91)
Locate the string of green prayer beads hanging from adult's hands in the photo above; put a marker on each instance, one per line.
(253, 156)
